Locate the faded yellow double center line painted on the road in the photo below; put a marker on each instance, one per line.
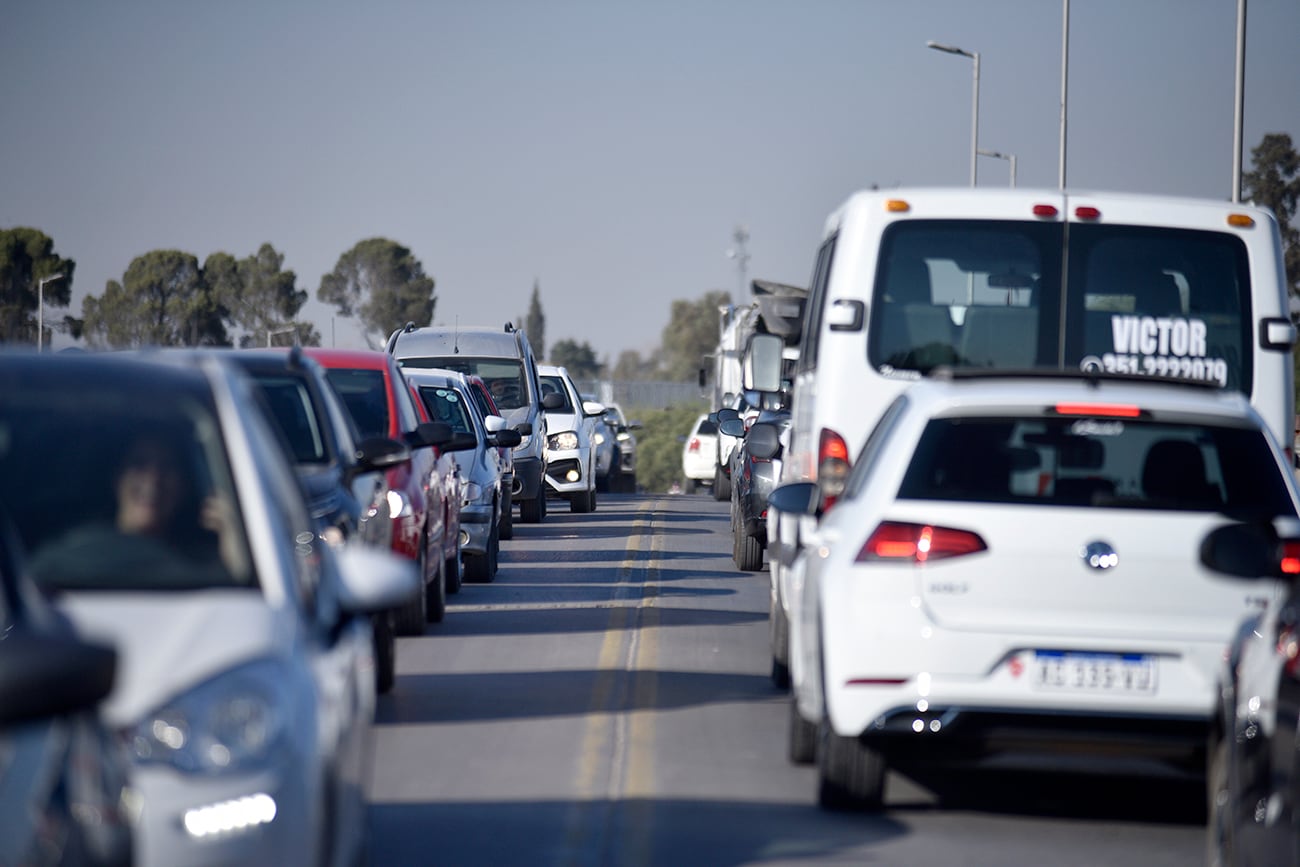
(616, 770)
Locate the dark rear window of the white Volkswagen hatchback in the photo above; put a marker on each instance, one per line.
(1099, 462)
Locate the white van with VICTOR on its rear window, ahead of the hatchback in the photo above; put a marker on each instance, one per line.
(911, 280)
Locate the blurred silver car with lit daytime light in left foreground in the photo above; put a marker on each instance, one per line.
(167, 521)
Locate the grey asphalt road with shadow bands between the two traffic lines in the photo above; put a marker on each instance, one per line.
(606, 703)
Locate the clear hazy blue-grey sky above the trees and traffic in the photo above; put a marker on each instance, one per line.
(606, 149)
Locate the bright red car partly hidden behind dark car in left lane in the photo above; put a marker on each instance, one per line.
(380, 402)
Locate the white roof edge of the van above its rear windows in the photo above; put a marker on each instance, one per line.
(1017, 203)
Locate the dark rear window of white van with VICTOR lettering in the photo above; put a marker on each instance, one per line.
(1137, 300)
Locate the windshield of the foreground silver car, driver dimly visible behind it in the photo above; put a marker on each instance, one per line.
(122, 495)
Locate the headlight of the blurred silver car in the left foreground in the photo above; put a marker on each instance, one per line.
(233, 722)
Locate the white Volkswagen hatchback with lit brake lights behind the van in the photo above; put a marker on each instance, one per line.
(1013, 565)
